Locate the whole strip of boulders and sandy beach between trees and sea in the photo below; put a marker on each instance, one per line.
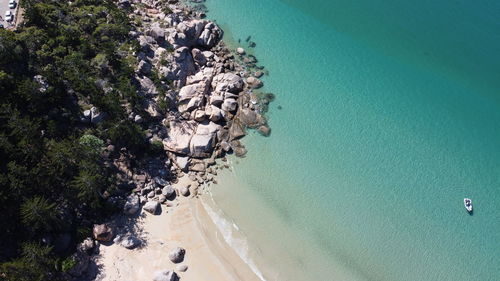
(213, 88)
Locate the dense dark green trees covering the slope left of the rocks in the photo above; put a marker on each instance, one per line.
(52, 174)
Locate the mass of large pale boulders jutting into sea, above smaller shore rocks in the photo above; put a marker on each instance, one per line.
(210, 95)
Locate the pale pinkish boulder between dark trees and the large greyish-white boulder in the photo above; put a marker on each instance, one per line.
(179, 136)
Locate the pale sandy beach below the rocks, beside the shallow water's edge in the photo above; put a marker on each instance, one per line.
(186, 225)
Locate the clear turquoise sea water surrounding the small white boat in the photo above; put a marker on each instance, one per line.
(390, 117)
